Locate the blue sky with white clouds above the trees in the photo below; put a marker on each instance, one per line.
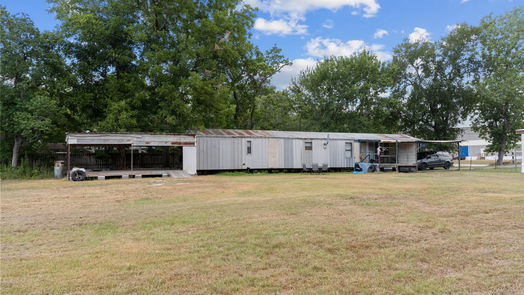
(309, 30)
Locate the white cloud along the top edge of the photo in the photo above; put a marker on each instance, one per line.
(301, 7)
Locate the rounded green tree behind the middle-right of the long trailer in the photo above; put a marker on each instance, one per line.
(346, 94)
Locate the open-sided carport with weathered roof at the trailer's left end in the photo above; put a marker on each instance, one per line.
(129, 146)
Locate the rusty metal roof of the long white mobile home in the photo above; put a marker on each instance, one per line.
(307, 135)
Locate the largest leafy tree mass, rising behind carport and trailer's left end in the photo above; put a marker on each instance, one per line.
(164, 65)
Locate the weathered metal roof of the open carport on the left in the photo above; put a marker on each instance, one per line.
(135, 139)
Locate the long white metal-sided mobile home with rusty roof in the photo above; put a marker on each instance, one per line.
(228, 149)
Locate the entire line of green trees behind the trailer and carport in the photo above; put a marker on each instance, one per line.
(170, 66)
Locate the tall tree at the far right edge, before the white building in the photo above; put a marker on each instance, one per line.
(500, 86)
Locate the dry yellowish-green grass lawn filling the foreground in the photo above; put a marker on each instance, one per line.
(438, 232)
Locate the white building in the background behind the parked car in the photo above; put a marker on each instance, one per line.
(473, 147)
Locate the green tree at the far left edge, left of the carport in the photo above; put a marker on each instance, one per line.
(31, 77)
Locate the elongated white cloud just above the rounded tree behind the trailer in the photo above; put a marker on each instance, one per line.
(320, 47)
